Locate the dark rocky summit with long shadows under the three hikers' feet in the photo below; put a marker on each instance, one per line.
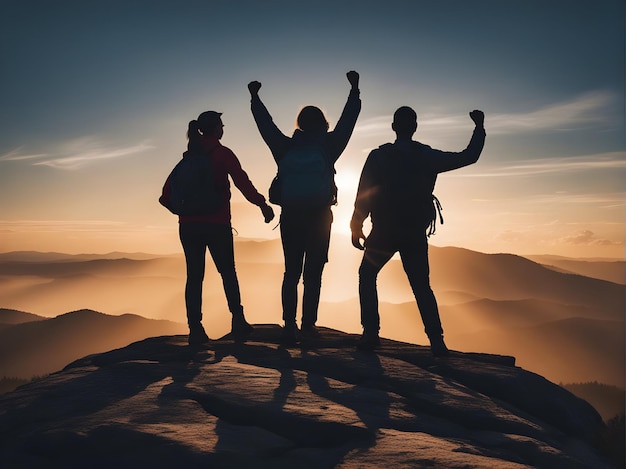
(160, 403)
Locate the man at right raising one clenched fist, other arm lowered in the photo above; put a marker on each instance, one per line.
(396, 191)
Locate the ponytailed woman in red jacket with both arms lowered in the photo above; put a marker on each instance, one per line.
(213, 230)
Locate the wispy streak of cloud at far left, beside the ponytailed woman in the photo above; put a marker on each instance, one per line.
(77, 154)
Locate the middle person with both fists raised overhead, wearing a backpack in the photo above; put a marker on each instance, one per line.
(305, 190)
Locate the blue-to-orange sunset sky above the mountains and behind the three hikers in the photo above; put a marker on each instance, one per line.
(96, 97)
